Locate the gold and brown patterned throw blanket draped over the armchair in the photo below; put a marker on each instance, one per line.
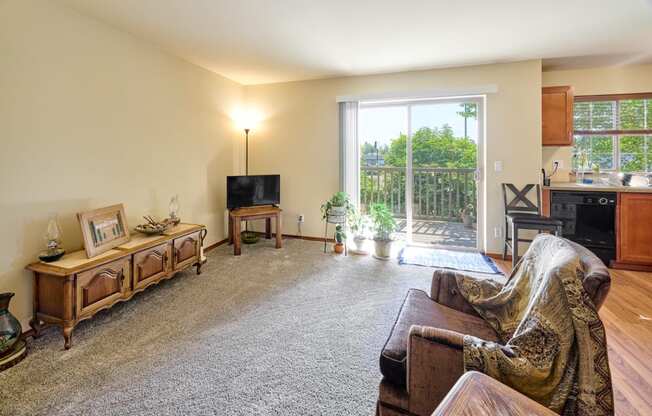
(554, 348)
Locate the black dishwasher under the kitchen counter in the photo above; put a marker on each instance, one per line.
(589, 219)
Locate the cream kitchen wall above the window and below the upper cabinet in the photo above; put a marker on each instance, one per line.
(594, 81)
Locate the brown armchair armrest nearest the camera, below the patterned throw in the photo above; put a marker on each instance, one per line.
(434, 363)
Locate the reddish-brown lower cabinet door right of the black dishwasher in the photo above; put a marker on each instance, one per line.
(634, 235)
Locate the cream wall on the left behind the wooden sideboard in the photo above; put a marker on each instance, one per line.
(90, 116)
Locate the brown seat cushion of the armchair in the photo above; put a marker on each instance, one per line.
(419, 309)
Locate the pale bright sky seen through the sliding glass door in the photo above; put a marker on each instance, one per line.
(385, 123)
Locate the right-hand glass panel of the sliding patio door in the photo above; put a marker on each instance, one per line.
(442, 163)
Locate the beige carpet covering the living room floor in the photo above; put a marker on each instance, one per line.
(273, 332)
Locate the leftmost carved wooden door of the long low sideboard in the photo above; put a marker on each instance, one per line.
(102, 286)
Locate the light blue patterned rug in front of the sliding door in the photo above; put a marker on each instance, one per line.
(448, 259)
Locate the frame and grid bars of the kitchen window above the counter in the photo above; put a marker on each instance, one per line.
(617, 134)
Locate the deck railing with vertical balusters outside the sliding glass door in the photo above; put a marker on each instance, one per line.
(438, 193)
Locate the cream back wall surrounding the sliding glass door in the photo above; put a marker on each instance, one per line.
(298, 137)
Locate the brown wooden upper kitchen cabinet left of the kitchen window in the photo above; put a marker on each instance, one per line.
(557, 116)
